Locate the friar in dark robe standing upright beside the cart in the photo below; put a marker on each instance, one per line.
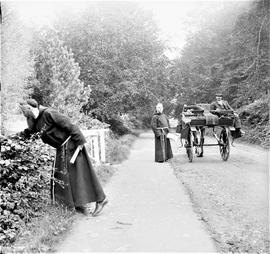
(160, 127)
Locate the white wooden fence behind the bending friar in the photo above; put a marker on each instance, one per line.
(96, 144)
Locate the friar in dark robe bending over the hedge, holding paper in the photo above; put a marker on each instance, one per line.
(75, 182)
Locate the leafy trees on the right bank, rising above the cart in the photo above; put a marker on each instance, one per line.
(229, 55)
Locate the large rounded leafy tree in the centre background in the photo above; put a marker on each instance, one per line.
(121, 57)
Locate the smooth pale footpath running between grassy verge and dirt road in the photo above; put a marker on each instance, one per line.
(148, 210)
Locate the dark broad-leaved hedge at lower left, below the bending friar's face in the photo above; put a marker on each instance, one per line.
(24, 169)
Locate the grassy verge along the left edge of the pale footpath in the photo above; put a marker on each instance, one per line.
(45, 231)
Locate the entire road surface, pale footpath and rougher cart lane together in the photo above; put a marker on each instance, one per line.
(150, 209)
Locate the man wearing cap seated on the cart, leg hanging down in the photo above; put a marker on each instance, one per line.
(221, 104)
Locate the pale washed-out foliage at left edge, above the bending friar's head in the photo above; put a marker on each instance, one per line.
(15, 63)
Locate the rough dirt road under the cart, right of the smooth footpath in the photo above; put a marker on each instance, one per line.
(232, 197)
